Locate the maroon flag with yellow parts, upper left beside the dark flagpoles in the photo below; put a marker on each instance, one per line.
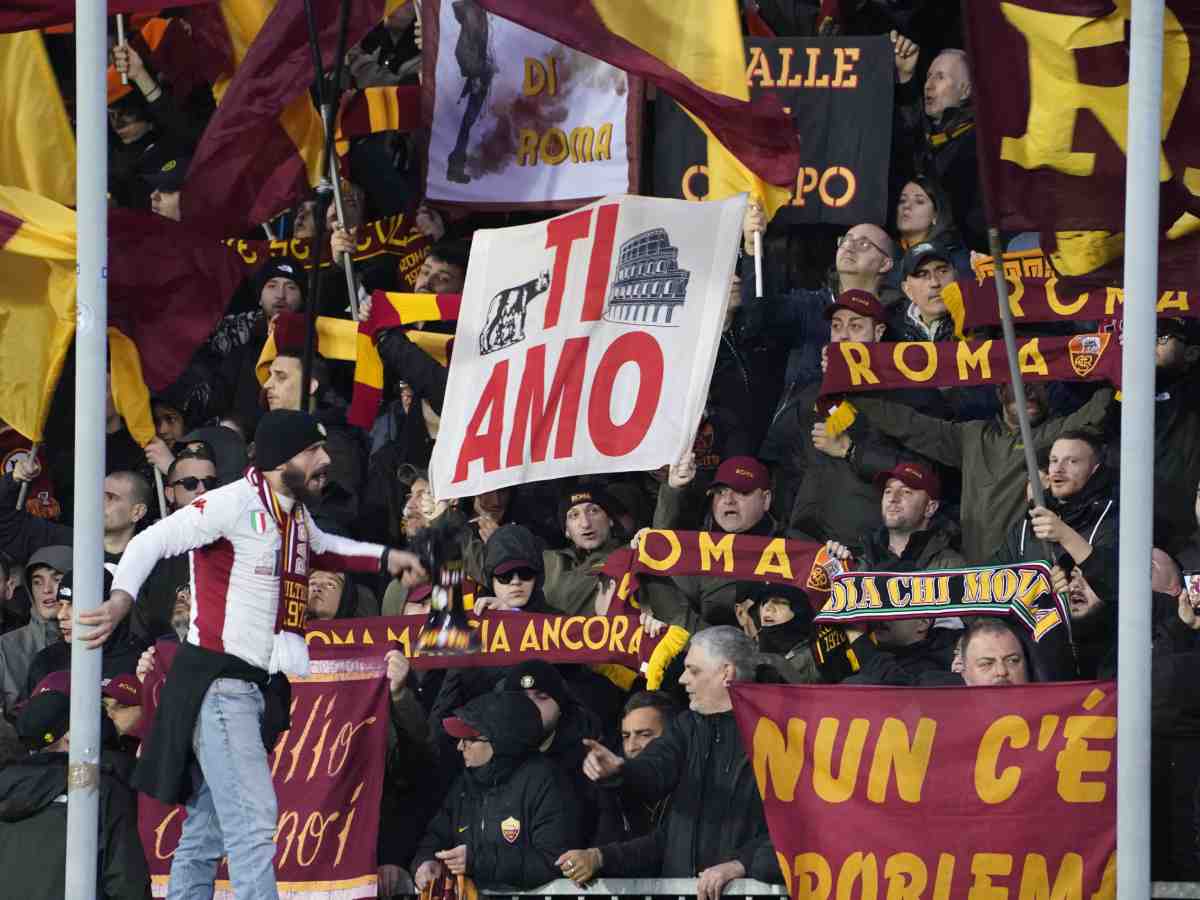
(262, 147)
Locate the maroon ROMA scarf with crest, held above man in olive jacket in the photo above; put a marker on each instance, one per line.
(856, 367)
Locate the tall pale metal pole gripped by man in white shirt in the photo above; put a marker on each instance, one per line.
(92, 379)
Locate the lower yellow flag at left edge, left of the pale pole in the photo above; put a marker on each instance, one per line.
(38, 305)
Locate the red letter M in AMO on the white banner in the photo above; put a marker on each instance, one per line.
(538, 412)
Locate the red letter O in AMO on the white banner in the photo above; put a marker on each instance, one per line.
(643, 351)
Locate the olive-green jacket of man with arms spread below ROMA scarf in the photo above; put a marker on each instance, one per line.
(991, 455)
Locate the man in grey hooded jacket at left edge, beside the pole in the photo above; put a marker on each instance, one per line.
(19, 649)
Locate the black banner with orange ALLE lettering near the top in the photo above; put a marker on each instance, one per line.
(839, 93)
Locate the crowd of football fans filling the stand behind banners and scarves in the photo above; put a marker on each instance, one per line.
(615, 781)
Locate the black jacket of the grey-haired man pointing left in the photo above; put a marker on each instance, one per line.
(716, 812)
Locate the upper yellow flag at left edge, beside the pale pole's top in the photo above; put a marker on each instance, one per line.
(38, 151)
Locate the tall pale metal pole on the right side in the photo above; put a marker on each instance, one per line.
(1138, 448)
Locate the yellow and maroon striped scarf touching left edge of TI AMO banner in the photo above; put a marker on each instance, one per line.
(394, 310)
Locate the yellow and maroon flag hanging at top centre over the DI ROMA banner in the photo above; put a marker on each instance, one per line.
(692, 50)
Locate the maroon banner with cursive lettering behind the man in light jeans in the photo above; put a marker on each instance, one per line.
(328, 773)
